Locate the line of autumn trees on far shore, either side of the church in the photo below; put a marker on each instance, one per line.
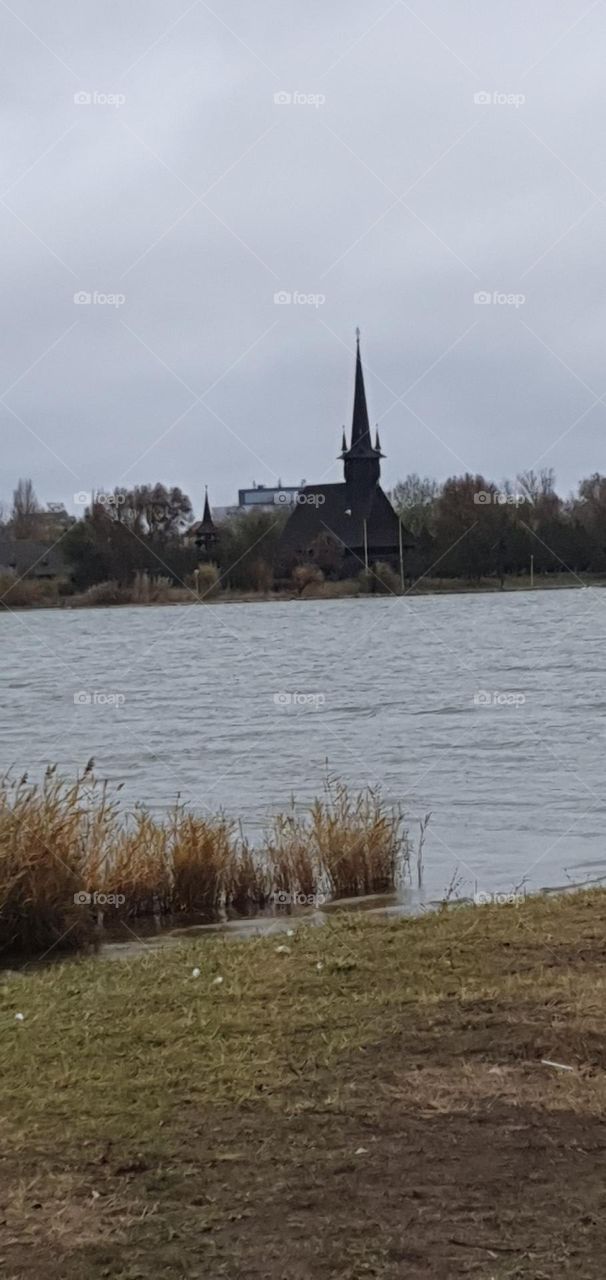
(466, 528)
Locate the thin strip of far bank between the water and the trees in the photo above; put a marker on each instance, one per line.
(171, 597)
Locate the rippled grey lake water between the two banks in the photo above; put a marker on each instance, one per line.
(487, 711)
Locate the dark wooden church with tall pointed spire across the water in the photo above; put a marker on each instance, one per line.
(347, 528)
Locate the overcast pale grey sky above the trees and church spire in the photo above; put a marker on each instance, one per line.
(201, 203)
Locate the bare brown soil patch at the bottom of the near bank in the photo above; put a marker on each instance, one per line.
(448, 1151)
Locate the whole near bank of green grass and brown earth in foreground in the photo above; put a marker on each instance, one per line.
(361, 1100)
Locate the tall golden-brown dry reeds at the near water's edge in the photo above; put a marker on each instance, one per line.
(72, 860)
